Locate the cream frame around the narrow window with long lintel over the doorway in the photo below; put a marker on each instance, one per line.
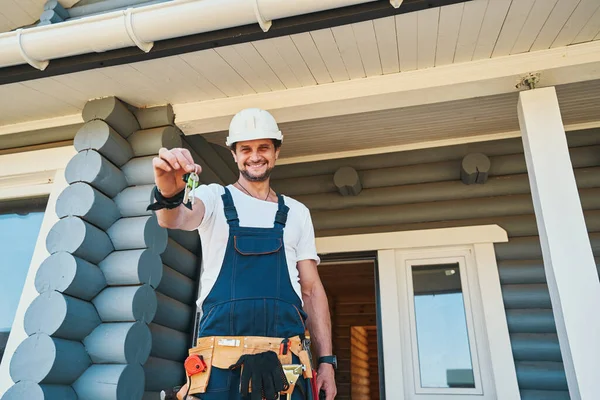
(478, 243)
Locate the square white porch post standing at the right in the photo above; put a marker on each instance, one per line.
(568, 259)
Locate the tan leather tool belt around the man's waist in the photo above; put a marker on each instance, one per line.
(225, 351)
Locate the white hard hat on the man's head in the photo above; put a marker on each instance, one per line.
(251, 124)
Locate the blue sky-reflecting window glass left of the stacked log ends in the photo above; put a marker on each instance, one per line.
(18, 235)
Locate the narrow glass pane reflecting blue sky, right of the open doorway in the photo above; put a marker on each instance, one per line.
(442, 337)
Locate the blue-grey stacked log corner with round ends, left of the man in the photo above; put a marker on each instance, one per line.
(114, 315)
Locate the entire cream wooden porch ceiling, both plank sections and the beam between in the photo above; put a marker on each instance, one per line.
(432, 76)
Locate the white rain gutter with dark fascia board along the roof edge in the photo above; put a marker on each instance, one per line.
(176, 27)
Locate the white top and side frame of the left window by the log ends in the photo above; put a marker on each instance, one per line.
(25, 175)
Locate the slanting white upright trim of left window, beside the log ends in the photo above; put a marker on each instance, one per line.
(17, 332)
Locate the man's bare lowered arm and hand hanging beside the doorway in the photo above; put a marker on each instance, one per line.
(319, 322)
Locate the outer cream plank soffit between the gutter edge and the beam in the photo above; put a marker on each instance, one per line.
(474, 30)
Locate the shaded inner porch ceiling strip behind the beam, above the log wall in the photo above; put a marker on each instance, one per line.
(377, 131)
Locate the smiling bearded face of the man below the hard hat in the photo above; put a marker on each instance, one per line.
(255, 159)
